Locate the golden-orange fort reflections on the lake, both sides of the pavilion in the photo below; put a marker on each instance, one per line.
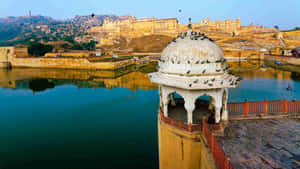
(132, 78)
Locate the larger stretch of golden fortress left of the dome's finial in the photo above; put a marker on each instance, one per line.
(133, 27)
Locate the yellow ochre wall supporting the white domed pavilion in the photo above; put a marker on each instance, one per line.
(179, 150)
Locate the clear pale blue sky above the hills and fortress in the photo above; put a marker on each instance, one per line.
(283, 13)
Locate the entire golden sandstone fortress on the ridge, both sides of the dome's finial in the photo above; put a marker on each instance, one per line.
(130, 28)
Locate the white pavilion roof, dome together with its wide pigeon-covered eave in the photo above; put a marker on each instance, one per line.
(193, 62)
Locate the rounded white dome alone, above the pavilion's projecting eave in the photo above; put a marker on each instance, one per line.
(192, 55)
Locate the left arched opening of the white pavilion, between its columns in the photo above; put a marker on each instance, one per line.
(176, 108)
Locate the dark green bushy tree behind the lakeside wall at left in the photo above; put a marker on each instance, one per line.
(38, 49)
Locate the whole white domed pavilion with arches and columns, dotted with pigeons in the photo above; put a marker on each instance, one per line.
(193, 66)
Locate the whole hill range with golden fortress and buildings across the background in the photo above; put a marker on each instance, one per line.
(130, 34)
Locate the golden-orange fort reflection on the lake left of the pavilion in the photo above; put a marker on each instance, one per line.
(131, 78)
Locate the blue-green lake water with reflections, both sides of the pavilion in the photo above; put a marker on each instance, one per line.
(100, 122)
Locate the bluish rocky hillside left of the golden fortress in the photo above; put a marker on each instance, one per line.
(25, 29)
